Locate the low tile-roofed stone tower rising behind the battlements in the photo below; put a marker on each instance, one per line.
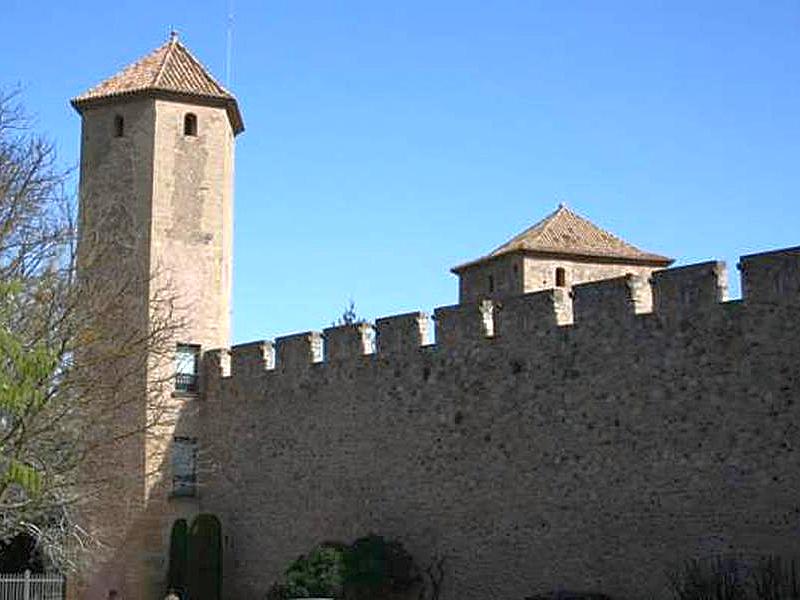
(561, 250)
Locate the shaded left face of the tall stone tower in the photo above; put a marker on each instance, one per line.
(116, 182)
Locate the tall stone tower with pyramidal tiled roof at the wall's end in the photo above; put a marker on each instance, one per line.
(156, 205)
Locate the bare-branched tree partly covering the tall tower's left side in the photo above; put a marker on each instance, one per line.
(78, 374)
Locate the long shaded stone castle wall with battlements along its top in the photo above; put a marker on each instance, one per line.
(593, 455)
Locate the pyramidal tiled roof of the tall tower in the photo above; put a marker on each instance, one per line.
(170, 69)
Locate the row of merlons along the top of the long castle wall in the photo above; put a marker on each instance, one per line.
(771, 277)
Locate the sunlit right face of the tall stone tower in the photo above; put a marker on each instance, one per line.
(191, 253)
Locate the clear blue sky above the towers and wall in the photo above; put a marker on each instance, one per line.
(388, 141)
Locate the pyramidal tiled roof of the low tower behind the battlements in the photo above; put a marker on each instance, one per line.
(565, 233)
